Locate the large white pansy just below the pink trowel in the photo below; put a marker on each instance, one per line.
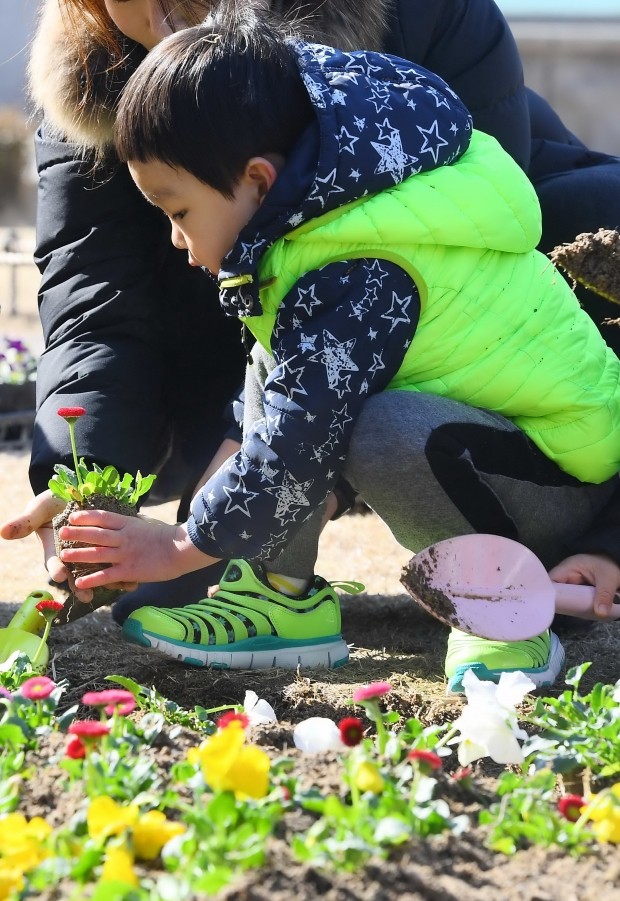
(488, 725)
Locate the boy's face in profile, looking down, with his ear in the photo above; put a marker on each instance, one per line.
(204, 222)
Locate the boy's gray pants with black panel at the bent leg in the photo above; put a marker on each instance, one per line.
(433, 468)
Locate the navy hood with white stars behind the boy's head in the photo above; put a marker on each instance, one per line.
(379, 120)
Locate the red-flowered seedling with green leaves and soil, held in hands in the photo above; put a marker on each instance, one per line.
(98, 489)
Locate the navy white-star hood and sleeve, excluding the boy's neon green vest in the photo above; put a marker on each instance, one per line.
(395, 120)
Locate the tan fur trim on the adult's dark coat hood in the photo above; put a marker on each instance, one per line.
(58, 82)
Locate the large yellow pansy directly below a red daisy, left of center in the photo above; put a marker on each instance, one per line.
(228, 764)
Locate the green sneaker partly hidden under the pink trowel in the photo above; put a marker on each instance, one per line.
(541, 658)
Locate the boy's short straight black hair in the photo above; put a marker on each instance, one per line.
(209, 98)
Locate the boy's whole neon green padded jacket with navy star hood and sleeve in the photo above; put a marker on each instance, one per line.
(340, 323)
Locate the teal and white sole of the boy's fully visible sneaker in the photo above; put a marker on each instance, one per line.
(285, 655)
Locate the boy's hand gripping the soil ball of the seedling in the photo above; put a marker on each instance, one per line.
(136, 548)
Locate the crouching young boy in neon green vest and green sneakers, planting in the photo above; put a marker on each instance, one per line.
(409, 339)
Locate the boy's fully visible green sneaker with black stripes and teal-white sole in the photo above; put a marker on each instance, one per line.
(247, 625)
